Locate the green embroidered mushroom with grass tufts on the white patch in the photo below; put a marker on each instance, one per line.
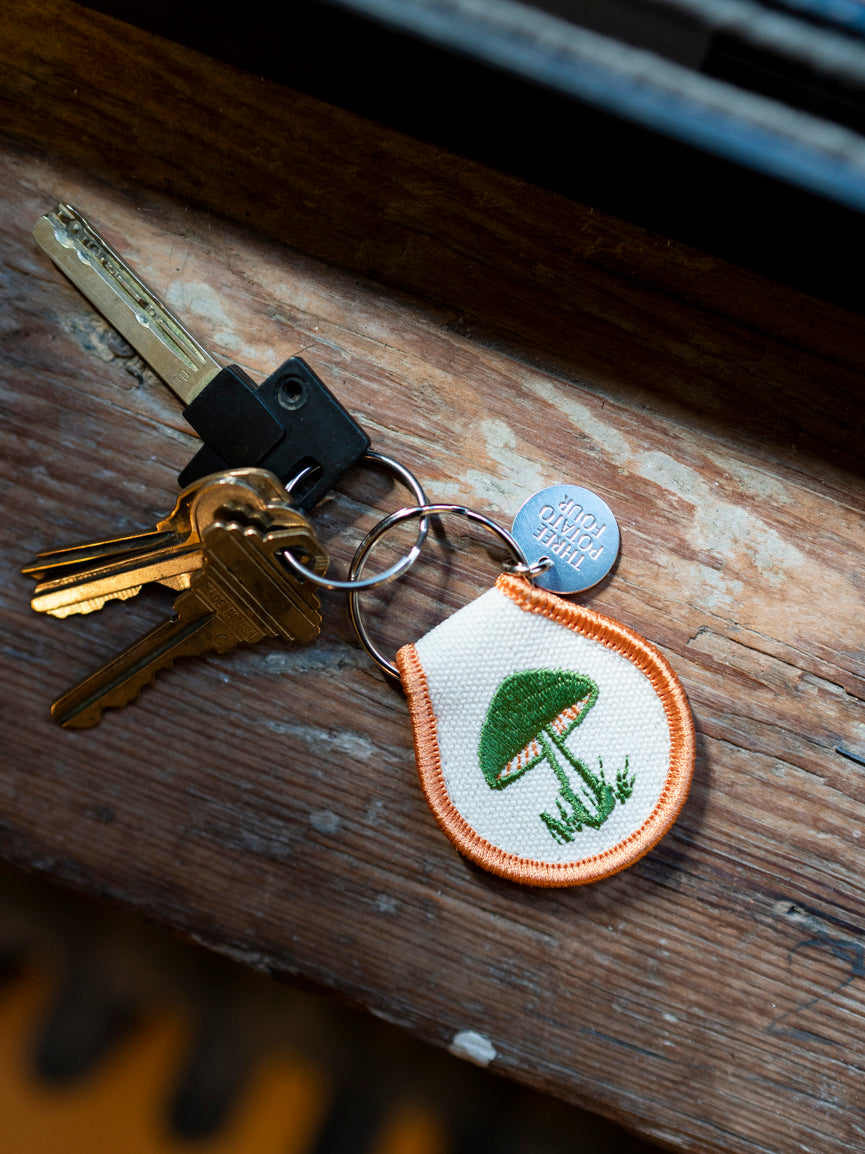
(529, 722)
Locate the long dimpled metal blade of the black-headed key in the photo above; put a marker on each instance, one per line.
(125, 302)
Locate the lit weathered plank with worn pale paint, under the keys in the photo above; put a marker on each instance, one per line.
(292, 834)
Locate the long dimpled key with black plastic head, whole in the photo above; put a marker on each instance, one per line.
(291, 424)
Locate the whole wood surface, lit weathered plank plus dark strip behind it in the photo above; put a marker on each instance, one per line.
(265, 803)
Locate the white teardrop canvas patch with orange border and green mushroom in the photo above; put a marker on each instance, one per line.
(555, 746)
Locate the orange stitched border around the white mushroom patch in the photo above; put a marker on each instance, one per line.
(615, 636)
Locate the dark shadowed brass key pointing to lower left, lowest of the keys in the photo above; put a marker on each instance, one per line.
(243, 594)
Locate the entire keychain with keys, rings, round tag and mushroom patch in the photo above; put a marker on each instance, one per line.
(554, 745)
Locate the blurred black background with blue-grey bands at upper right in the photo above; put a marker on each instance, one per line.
(734, 128)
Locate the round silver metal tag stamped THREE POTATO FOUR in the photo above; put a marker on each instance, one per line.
(576, 529)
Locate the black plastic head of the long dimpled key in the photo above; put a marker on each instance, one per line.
(290, 424)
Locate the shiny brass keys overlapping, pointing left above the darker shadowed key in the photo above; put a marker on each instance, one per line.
(84, 579)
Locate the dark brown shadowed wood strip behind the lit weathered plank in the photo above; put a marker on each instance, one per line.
(505, 260)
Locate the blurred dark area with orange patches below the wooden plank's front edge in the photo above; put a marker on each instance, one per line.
(117, 1038)
